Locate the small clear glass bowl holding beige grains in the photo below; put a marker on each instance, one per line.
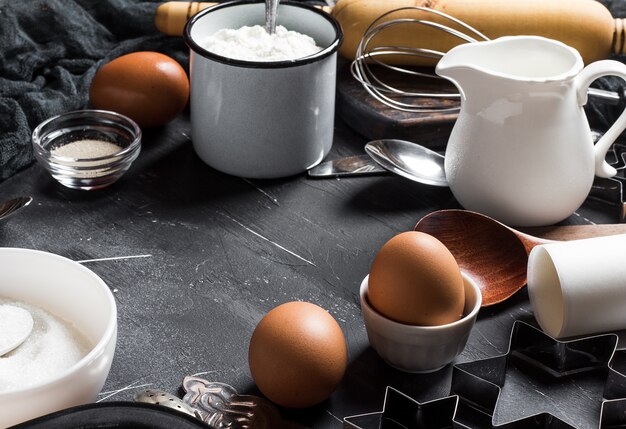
(90, 130)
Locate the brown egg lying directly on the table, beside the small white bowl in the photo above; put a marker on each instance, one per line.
(297, 355)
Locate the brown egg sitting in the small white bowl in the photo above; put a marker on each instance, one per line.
(415, 280)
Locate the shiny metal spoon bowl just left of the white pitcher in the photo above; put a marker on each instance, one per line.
(409, 160)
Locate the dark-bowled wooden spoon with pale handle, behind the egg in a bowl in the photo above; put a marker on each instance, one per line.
(494, 255)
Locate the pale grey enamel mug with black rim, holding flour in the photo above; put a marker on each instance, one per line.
(262, 119)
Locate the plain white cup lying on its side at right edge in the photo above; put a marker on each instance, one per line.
(579, 287)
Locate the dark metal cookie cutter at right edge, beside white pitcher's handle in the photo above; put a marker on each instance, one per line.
(612, 191)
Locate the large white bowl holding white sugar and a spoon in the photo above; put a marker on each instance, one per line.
(74, 293)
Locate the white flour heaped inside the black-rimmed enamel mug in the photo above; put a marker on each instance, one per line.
(255, 44)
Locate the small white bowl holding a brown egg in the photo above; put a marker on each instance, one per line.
(420, 349)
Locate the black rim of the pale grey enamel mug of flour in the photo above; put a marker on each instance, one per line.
(325, 52)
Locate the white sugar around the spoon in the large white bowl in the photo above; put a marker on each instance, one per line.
(51, 349)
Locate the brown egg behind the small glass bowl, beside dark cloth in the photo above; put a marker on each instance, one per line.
(148, 87)
